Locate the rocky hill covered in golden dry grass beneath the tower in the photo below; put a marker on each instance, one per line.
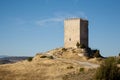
(57, 64)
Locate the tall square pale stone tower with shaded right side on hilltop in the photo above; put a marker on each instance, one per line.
(75, 30)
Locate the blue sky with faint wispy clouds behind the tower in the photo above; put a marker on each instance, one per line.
(31, 26)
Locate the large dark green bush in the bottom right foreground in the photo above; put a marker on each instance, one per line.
(108, 70)
